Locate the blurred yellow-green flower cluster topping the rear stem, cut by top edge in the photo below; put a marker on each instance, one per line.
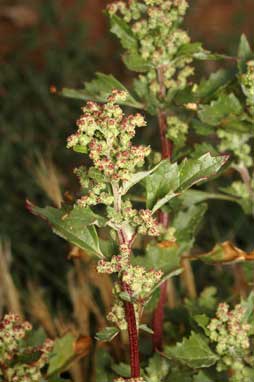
(155, 25)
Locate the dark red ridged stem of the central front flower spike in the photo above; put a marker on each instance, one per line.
(128, 306)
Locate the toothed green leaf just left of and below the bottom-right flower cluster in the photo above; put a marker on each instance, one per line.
(192, 352)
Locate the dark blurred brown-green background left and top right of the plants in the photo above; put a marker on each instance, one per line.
(45, 45)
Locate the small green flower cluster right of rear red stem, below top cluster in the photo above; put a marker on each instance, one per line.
(177, 131)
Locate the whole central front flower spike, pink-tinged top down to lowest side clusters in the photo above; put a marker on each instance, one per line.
(106, 134)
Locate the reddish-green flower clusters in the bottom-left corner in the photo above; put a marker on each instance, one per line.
(18, 362)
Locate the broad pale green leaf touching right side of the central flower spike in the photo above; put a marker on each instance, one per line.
(162, 183)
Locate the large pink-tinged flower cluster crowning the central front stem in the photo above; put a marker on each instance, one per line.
(105, 133)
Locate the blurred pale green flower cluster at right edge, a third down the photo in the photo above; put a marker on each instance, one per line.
(238, 143)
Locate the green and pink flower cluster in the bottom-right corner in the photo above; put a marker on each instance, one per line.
(230, 332)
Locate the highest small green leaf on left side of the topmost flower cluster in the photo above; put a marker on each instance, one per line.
(124, 32)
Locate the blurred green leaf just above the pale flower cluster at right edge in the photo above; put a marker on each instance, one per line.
(221, 108)
